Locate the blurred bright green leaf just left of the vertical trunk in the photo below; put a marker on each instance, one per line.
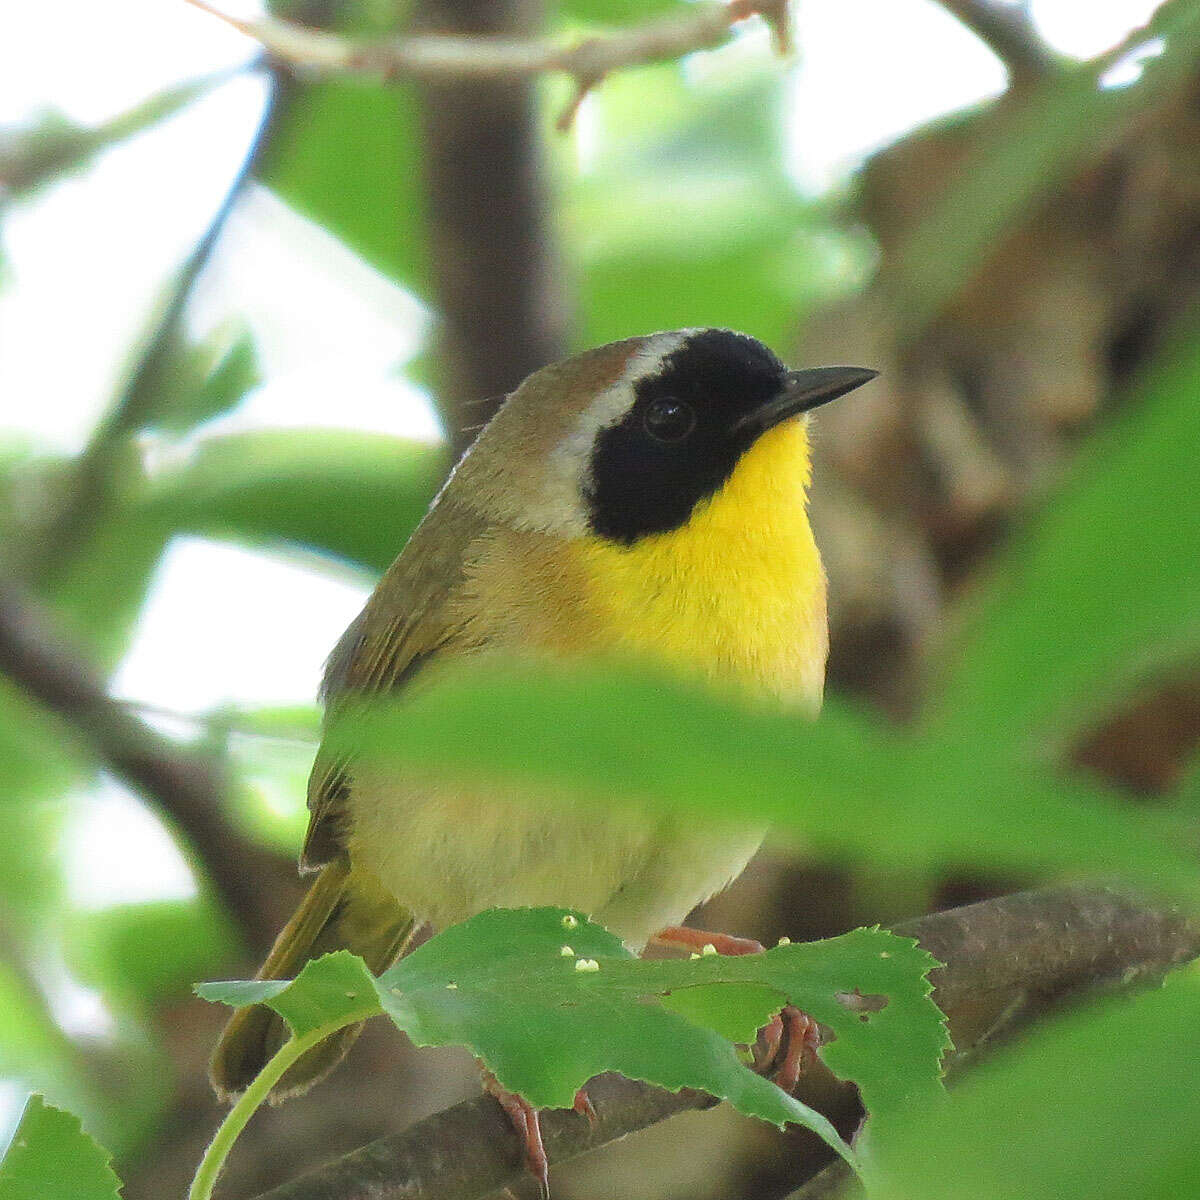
(347, 155)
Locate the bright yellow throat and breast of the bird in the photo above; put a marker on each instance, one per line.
(739, 593)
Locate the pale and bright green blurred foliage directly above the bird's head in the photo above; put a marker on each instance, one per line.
(742, 249)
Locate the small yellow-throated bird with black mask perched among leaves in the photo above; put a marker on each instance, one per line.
(649, 499)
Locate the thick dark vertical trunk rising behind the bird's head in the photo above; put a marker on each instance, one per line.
(502, 313)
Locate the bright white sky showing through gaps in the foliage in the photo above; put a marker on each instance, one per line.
(85, 261)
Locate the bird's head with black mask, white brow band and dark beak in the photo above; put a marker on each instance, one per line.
(628, 441)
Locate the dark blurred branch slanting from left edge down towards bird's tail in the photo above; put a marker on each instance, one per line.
(183, 787)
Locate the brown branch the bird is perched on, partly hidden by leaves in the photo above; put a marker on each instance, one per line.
(1019, 952)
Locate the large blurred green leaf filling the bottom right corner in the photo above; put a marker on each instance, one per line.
(1101, 1106)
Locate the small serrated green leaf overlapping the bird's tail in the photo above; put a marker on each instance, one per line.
(334, 988)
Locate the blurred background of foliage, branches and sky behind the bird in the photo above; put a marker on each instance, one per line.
(248, 319)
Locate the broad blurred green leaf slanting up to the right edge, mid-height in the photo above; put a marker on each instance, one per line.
(1101, 589)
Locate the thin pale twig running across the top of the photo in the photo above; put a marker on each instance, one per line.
(434, 58)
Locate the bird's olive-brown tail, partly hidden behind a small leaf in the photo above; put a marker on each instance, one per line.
(344, 909)
